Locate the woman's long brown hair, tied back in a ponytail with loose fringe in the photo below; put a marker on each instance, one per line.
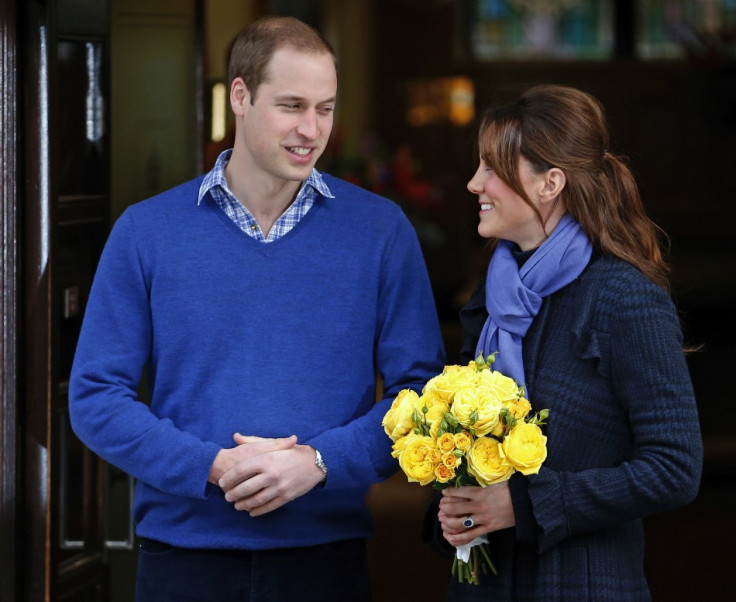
(557, 126)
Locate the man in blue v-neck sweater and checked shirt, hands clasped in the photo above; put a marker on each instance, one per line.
(261, 300)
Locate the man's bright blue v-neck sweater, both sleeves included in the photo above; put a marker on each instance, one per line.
(262, 339)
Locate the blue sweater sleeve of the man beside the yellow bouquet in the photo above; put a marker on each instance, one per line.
(408, 352)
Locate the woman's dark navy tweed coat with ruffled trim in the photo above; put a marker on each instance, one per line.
(604, 355)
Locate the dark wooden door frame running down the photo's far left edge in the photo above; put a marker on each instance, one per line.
(25, 298)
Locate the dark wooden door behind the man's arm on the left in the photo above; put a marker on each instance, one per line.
(66, 158)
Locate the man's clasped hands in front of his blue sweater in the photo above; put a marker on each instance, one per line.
(259, 474)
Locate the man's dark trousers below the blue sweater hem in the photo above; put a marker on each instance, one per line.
(330, 572)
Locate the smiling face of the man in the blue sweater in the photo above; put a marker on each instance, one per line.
(286, 127)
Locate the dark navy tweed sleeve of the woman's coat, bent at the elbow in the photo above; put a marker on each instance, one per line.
(644, 361)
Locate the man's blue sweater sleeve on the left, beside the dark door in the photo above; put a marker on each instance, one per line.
(114, 346)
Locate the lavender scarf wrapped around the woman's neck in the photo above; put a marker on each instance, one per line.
(514, 295)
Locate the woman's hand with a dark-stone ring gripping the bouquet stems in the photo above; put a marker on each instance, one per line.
(490, 508)
